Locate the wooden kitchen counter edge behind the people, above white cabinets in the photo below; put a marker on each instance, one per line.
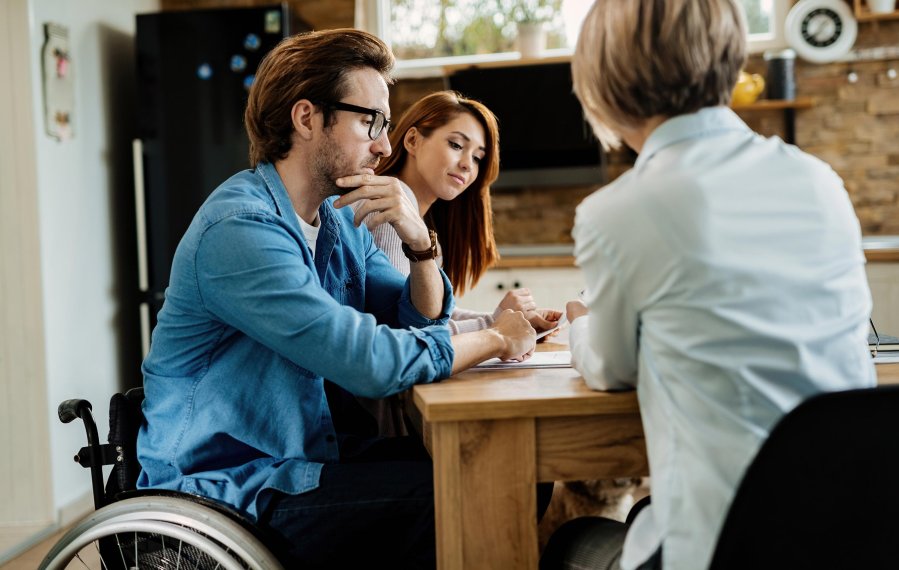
(877, 249)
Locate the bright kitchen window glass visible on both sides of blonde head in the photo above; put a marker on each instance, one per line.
(427, 34)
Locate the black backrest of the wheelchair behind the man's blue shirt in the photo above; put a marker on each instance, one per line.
(125, 418)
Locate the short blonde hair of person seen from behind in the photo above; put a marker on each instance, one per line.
(637, 59)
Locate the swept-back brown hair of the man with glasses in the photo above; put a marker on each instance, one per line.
(309, 66)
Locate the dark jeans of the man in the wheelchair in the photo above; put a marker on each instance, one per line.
(375, 509)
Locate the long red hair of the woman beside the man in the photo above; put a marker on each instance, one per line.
(465, 224)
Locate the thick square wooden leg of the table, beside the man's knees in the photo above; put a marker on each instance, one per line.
(484, 488)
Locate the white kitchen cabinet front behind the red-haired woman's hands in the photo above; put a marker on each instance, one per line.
(551, 287)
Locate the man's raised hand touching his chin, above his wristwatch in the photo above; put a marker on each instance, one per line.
(386, 201)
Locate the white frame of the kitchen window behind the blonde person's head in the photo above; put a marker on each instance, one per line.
(374, 16)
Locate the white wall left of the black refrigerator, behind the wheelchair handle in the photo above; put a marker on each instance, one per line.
(84, 191)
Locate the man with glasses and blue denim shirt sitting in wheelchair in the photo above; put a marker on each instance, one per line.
(275, 288)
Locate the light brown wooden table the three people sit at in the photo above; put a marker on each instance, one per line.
(494, 433)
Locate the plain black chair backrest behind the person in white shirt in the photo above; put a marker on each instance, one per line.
(823, 491)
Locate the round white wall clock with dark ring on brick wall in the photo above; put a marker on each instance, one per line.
(821, 31)
